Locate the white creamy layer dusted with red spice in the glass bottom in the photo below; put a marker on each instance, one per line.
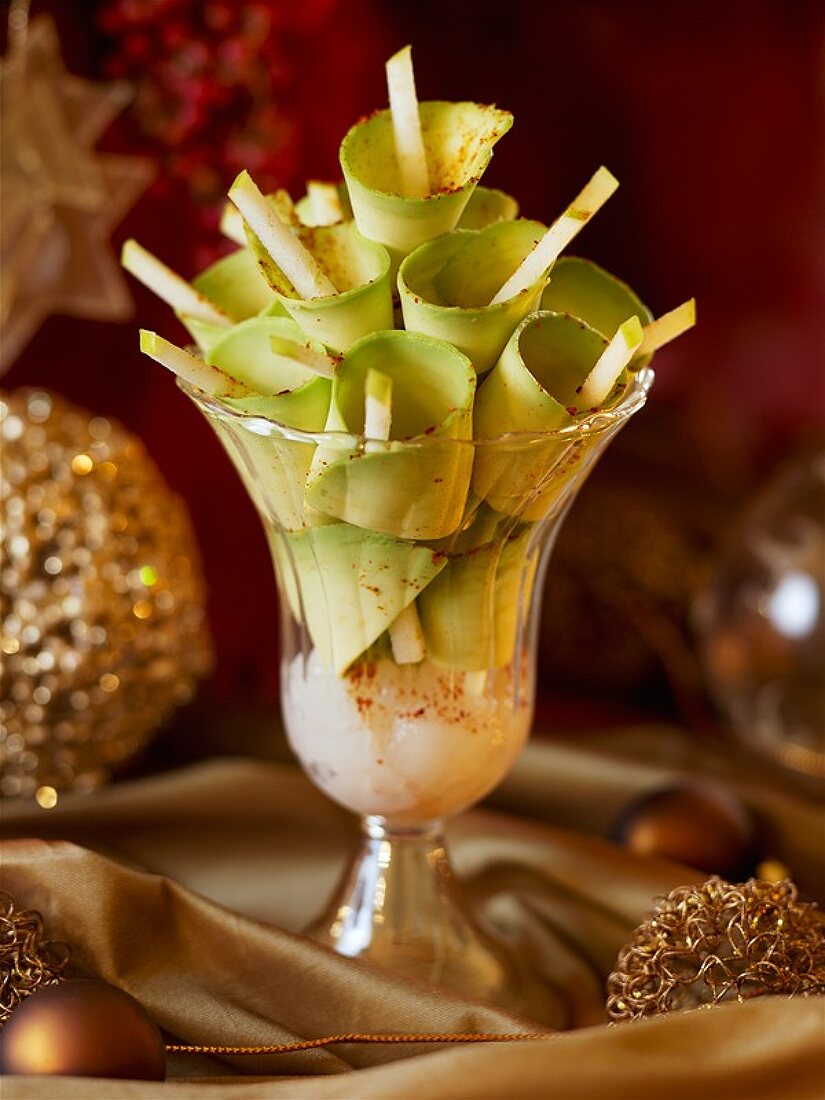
(411, 743)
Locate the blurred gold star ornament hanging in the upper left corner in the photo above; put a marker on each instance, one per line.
(61, 199)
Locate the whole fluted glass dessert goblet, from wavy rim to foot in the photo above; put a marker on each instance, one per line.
(406, 734)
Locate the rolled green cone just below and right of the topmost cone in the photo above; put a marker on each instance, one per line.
(446, 288)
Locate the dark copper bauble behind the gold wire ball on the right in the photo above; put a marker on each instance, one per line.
(701, 826)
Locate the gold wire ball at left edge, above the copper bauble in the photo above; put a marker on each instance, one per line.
(28, 961)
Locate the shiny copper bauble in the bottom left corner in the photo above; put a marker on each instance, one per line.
(83, 1029)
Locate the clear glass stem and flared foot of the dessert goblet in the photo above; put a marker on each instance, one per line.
(400, 907)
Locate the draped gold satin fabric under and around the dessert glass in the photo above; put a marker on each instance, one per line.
(189, 889)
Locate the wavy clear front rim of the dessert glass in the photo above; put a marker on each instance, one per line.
(589, 426)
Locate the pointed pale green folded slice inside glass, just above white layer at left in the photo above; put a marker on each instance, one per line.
(347, 586)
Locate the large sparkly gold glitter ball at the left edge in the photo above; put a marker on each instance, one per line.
(102, 599)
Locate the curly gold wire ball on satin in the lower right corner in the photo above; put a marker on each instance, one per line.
(720, 942)
